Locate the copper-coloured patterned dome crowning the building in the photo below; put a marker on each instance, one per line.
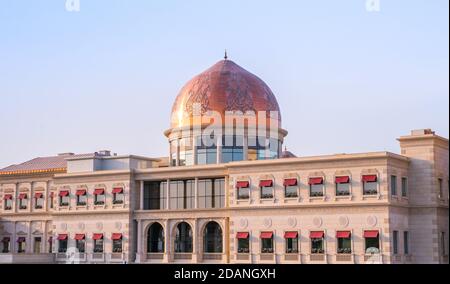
(224, 87)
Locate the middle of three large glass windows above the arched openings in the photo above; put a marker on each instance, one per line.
(181, 194)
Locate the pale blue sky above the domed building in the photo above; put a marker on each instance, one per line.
(348, 78)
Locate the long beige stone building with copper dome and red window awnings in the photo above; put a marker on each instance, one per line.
(229, 198)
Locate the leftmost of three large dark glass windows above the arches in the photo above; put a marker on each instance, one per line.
(155, 195)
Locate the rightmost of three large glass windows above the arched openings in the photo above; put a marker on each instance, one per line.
(211, 193)
